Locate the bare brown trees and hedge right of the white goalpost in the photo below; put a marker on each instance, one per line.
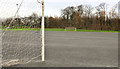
(87, 17)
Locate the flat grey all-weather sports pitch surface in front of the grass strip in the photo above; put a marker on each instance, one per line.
(71, 49)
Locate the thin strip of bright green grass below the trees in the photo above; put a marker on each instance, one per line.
(55, 29)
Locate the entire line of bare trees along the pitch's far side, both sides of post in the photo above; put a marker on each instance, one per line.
(80, 17)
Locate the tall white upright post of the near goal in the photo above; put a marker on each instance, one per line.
(43, 33)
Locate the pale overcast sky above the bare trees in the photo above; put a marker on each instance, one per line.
(52, 7)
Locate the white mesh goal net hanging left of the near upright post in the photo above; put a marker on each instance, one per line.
(21, 36)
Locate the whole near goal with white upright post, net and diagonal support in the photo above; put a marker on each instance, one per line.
(19, 47)
